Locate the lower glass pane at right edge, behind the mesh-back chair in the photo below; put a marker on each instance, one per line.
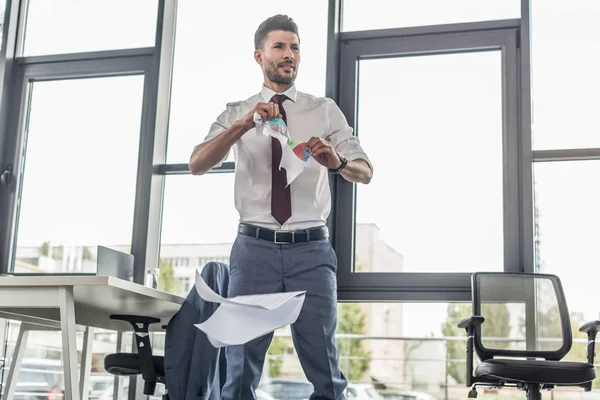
(567, 219)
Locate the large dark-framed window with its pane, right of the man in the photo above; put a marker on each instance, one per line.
(437, 115)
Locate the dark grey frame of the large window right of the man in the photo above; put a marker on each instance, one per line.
(442, 39)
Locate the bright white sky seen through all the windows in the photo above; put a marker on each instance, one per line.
(431, 126)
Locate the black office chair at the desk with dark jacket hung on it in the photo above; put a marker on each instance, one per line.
(152, 368)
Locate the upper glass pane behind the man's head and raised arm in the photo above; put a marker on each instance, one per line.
(202, 85)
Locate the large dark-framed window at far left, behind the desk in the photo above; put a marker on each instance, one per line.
(75, 144)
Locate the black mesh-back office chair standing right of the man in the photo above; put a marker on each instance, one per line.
(529, 358)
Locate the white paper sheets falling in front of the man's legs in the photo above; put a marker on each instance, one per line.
(243, 318)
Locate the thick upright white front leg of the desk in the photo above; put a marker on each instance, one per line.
(67, 327)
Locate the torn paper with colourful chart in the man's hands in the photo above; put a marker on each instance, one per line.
(294, 156)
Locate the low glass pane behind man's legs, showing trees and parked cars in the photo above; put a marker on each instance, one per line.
(385, 350)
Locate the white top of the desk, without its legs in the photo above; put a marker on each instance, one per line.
(95, 297)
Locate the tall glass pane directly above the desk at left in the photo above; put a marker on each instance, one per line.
(80, 172)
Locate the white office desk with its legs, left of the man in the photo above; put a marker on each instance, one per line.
(66, 302)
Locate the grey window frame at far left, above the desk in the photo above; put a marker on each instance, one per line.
(155, 63)
